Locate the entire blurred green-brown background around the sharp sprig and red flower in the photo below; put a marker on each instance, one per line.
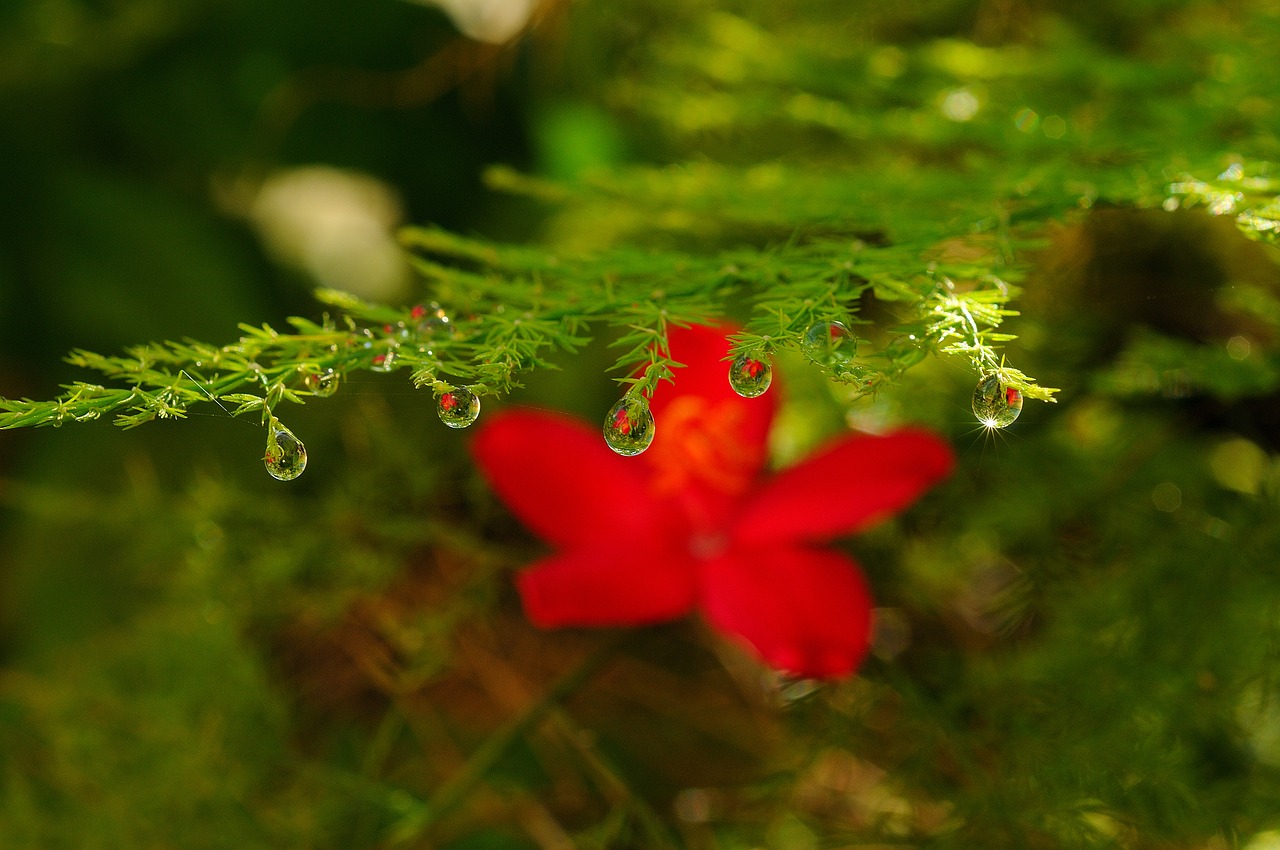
(193, 656)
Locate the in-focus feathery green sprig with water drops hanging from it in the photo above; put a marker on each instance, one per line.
(522, 307)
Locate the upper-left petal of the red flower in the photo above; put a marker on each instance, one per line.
(561, 479)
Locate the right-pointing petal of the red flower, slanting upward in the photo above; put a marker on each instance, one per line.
(845, 488)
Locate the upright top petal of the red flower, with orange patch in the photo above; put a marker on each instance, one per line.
(710, 442)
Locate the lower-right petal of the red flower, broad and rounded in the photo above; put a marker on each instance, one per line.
(804, 611)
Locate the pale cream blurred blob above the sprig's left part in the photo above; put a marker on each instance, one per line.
(336, 226)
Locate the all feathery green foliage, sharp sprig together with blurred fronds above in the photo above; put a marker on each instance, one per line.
(927, 164)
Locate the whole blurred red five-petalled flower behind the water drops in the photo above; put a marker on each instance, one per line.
(693, 525)
